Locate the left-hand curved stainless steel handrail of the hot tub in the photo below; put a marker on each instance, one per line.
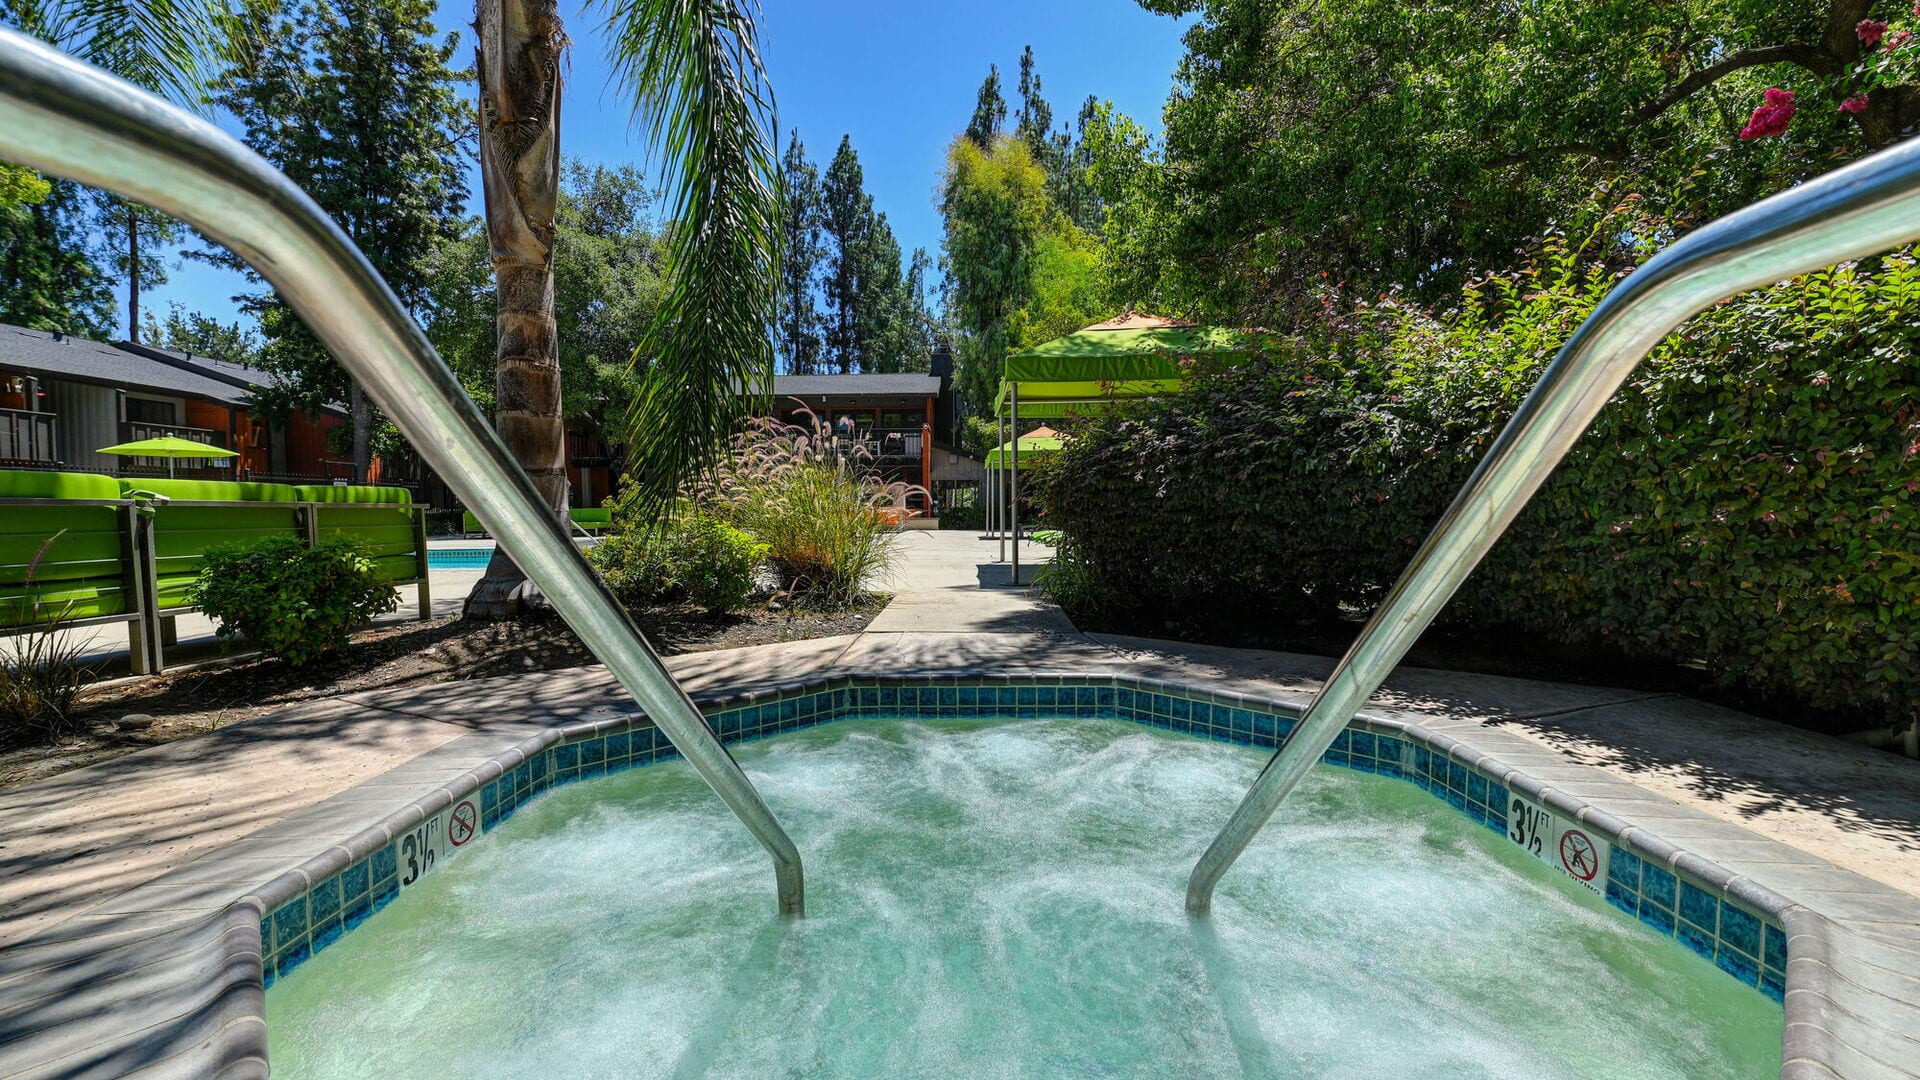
(78, 122)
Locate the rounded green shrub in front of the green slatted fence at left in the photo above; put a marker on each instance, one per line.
(297, 602)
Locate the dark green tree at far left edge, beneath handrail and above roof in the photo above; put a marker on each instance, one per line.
(49, 276)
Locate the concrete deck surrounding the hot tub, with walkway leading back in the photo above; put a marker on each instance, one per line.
(118, 946)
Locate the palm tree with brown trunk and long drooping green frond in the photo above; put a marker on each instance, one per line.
(700, 91)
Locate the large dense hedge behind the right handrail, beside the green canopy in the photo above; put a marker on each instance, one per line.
(1746, 503)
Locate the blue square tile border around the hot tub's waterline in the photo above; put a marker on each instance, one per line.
(1746, 945)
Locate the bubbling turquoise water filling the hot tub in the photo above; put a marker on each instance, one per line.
(1005, 900)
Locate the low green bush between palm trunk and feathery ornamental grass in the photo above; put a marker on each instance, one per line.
(694, 558)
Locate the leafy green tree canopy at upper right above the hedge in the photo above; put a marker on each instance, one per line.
(1410, 143)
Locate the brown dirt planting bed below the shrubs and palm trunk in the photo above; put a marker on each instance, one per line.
(393, 656)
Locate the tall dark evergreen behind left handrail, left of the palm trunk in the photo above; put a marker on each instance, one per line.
(354, 101)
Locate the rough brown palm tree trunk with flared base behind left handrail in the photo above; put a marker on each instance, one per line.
(521, 45)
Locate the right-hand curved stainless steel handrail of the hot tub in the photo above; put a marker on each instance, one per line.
(1852, 212)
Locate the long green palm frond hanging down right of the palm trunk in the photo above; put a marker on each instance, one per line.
(700, 91)
